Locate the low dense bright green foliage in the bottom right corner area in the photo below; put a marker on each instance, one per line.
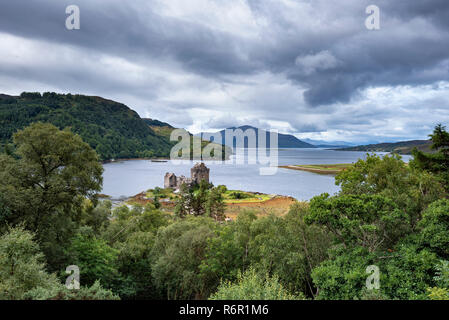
(405, 273)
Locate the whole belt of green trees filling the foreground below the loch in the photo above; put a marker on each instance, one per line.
(388, 215)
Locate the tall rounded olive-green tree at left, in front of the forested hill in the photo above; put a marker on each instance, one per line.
(45, 186)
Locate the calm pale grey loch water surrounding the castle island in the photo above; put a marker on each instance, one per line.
(128, 178)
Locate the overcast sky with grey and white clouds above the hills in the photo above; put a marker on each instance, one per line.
(309, 68)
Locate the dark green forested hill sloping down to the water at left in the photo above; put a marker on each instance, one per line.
(111, 128)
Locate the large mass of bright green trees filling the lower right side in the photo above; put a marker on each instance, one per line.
(385, 215)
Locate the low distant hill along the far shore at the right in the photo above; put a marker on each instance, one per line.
(402, 147)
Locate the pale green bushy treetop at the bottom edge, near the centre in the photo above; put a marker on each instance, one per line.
(250, 286)
